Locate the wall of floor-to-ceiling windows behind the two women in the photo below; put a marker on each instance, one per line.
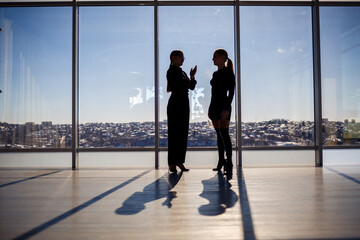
(124, 49)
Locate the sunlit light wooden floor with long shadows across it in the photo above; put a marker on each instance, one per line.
(257, 203)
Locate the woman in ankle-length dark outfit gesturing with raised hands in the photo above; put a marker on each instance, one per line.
(178, 83)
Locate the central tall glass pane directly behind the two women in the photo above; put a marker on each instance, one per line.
(197, 31)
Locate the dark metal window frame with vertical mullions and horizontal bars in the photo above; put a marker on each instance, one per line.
(314, 4)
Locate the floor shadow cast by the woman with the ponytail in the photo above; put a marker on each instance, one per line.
(217, 191)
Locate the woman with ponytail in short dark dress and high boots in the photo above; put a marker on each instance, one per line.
(222, 93)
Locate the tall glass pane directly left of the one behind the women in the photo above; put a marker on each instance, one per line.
(116, 76)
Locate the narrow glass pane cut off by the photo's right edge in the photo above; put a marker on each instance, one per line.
(340, 71)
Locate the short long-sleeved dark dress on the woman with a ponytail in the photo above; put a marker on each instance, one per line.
(222, 82)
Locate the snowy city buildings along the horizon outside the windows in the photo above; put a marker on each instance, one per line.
(276, 132)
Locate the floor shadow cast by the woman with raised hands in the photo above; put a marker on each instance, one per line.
(161, 188)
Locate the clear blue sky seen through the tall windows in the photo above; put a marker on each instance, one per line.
(116, 61)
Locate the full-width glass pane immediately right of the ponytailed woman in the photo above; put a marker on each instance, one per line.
(276, 76)
